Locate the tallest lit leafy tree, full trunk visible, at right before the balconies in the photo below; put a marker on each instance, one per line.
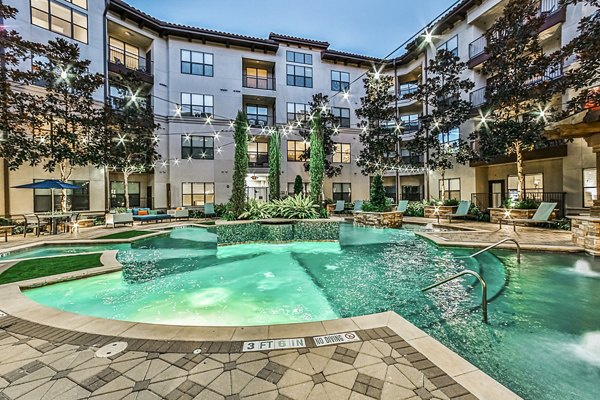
(517, 92)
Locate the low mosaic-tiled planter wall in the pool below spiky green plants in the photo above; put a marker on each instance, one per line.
(291, 231)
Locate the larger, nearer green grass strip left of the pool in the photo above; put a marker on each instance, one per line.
(31, 269)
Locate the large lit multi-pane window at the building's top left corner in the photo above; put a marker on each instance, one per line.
(60, 18)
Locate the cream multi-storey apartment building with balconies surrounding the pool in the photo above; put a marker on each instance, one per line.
(198, 80)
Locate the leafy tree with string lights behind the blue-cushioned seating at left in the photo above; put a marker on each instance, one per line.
(128, 143)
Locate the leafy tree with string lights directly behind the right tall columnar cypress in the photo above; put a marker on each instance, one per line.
(329, 127)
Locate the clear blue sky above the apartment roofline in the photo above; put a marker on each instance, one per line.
(369, 27)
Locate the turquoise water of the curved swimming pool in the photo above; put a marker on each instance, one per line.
(543, 339)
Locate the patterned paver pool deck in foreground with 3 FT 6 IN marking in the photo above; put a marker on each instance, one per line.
(48, 353)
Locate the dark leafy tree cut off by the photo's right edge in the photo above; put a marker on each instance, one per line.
(586, 48)
